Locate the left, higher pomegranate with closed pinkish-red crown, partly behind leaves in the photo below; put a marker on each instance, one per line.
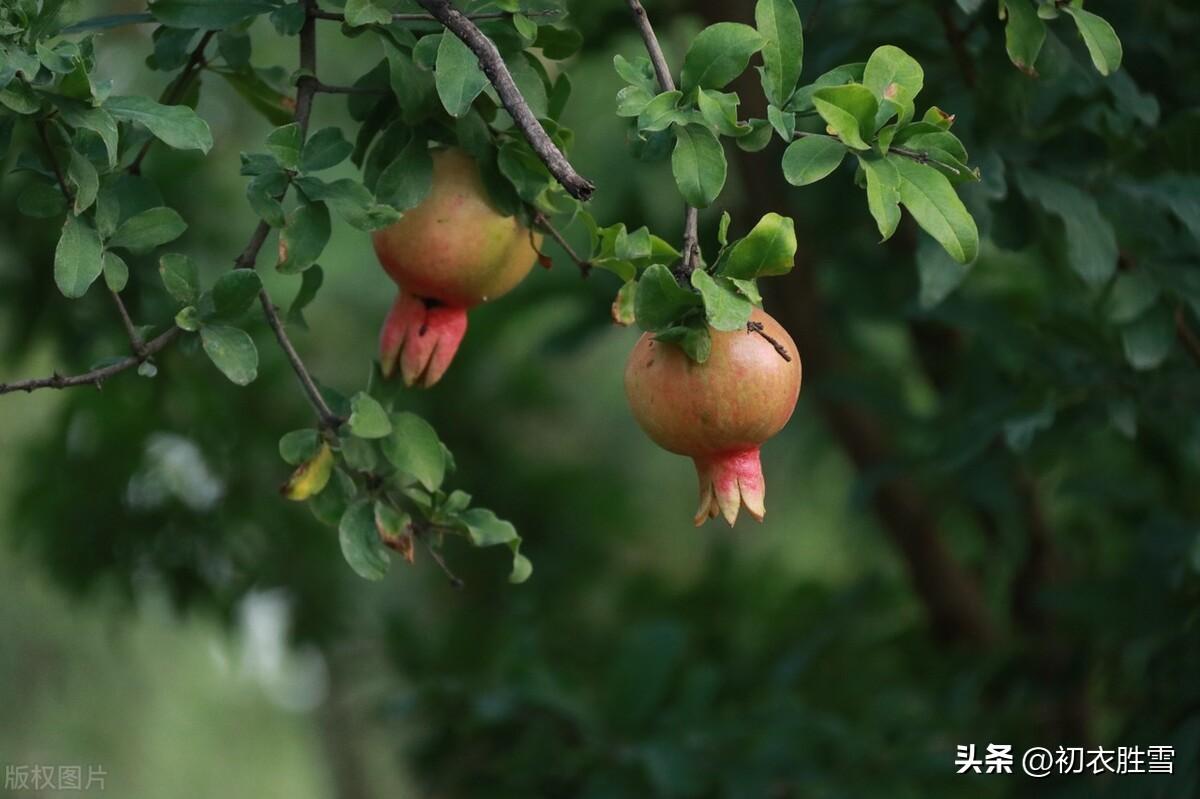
(448, 255)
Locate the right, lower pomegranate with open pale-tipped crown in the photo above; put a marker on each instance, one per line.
(719, 412)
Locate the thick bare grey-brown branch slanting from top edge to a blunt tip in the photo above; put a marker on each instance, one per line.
(499, 75)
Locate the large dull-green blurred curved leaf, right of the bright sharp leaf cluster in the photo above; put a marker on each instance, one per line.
(1091, 243)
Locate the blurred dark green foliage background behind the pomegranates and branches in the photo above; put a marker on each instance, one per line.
(985, 518)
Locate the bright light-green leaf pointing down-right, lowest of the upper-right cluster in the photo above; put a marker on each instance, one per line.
(933, 203)
